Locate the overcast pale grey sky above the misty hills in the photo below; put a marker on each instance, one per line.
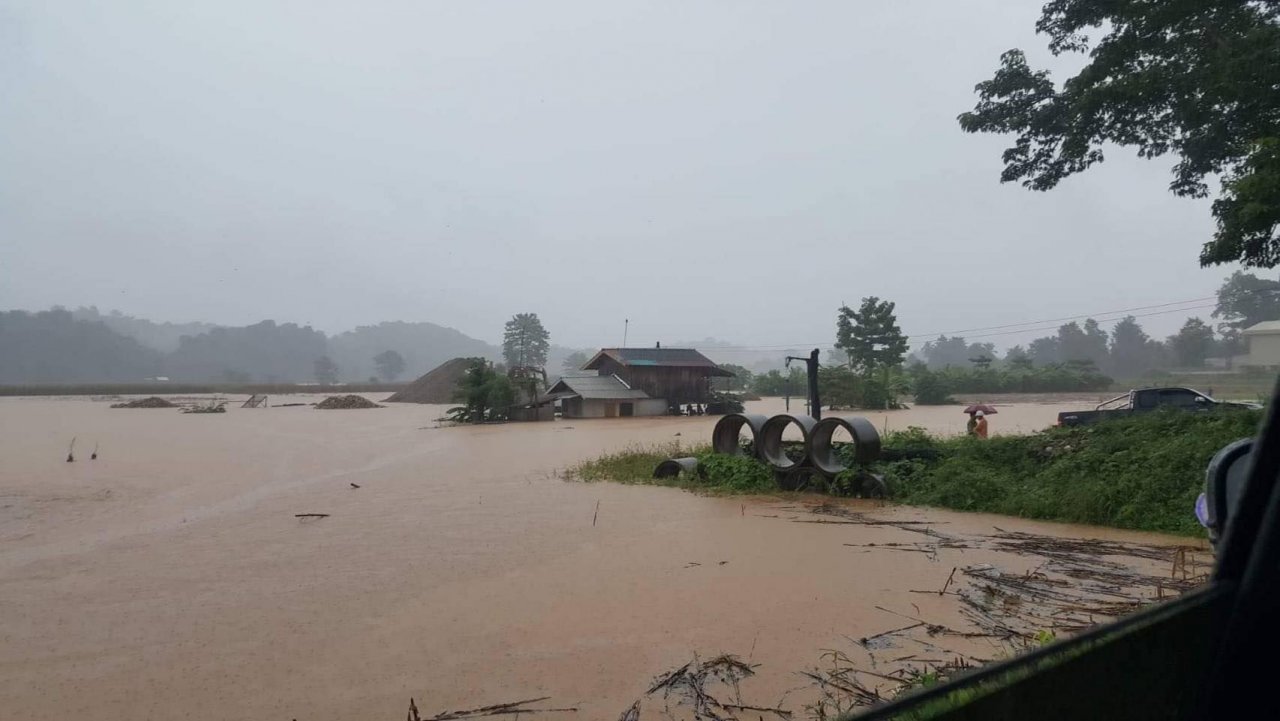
(724, 170)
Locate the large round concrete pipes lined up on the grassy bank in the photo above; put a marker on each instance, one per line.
(820, 459)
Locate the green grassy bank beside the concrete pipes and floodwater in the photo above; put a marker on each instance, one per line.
(1139, 473)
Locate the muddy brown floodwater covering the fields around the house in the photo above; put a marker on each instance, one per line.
(171, 577)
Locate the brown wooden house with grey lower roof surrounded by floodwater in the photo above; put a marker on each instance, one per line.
(634, 382)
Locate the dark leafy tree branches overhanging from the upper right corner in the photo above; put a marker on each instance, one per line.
(1196, 79)
